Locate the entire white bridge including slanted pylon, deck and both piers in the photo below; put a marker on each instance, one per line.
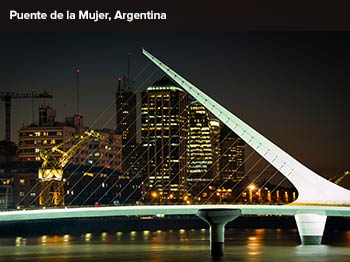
(318, 197)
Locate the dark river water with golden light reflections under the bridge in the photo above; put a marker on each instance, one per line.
(176, 245)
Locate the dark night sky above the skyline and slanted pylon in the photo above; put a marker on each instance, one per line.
(292, 87)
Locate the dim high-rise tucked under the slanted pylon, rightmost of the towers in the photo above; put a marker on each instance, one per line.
(231, 157)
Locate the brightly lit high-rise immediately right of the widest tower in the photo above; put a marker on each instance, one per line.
(199, 149)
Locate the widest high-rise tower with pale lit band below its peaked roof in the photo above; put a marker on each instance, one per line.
(164, 134)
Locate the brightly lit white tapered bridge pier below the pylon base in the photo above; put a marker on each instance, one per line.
(310, 228)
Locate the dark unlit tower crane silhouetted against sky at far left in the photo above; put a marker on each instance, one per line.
(7, 97)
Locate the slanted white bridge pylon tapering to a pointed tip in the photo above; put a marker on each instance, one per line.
(312, 188)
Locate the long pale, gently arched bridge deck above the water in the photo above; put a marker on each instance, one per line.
(58, 213)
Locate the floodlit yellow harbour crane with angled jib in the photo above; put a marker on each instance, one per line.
(54, 160)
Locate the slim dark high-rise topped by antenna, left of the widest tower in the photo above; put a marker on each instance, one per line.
(126, 121)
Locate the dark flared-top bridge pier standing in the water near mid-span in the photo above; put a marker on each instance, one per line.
(217, 219)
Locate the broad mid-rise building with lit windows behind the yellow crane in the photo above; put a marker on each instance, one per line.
(51, 133)
